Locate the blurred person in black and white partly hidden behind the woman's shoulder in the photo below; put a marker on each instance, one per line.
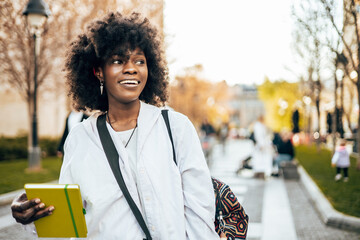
(72, 119)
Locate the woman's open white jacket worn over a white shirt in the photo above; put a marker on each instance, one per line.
(179, 200)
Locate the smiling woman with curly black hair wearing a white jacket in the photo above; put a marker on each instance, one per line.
(117, 67)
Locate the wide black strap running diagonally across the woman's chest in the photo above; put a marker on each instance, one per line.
(113, 158)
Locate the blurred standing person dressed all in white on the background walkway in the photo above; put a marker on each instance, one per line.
(263, 152)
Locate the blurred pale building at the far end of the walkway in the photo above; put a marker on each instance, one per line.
(245, 105)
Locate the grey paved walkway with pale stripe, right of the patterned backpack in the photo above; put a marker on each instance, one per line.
(278, 209)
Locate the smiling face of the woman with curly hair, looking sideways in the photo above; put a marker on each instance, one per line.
(125, 77)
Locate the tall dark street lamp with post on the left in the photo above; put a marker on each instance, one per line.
(36, 12)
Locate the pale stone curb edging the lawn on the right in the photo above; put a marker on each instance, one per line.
(328, 214)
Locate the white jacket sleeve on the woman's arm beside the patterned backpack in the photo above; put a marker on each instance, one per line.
(198, 190)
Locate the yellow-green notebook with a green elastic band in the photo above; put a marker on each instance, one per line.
(68, 218)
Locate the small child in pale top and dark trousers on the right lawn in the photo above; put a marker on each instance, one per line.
(341, 160)
